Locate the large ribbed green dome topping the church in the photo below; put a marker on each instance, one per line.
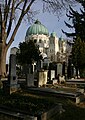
(37, 28)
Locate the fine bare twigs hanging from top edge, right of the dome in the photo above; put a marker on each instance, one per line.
(56, 6)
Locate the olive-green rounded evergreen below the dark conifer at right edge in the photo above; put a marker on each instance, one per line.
(78, 56)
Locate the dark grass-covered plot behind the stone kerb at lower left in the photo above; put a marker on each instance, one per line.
(31, 104)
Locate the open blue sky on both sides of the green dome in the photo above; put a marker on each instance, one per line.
(52, 22)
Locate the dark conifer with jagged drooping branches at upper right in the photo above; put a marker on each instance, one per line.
(78, 22)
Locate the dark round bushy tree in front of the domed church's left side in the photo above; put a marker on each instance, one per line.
(28, 53)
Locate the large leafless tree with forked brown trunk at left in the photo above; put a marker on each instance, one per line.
(8, 13)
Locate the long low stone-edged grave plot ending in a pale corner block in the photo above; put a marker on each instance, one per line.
(77, 97)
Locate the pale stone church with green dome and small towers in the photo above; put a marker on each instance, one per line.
(50, 46)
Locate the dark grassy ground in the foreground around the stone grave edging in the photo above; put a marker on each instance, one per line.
(32, 104)
